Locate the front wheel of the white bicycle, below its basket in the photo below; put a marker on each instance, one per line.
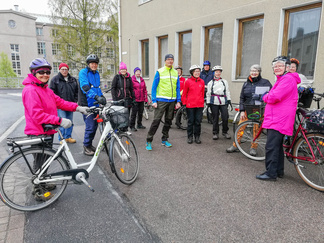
(125, 168)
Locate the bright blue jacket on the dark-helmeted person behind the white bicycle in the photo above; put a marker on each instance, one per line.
(90, 87)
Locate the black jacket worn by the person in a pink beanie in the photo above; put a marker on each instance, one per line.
(122, 87)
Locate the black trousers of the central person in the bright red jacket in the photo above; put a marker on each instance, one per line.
(194, 121)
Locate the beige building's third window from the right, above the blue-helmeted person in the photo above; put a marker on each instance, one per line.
(213, 44)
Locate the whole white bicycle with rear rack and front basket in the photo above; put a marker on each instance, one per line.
(19, 177)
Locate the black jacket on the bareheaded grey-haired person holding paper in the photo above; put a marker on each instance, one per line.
(248, 89)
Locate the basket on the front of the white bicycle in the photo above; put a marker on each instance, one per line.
(118, 117)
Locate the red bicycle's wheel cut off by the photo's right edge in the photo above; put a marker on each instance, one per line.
(311, 173)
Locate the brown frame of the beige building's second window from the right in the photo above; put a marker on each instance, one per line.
(240, 43)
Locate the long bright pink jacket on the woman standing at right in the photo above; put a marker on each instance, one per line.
(281, 104)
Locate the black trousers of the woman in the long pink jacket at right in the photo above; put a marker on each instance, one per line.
(274, 153)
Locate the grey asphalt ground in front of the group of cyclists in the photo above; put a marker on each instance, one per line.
(187, 193)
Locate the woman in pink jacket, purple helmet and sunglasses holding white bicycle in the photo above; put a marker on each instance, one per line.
(41, 106)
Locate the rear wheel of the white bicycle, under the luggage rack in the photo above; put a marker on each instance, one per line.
(17, 189)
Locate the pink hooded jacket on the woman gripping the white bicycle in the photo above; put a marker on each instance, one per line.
(41, 106)
